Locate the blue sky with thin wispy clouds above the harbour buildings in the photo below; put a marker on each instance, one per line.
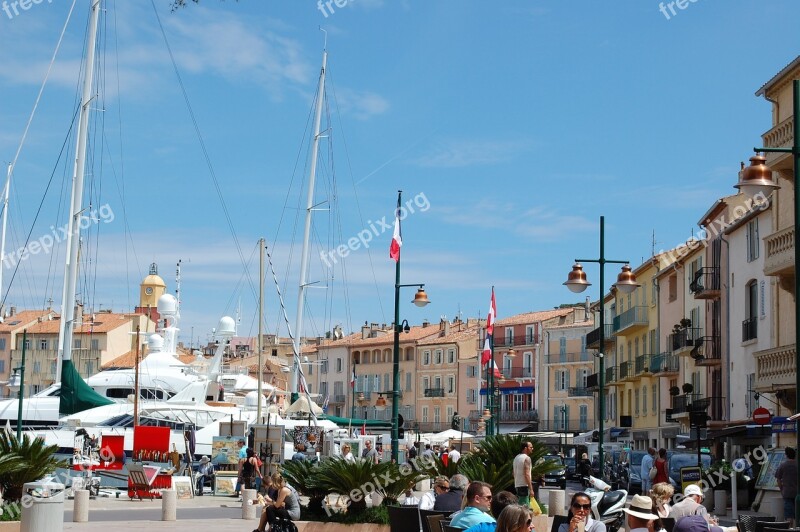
(518, 123)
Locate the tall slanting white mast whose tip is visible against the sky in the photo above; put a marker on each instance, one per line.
(301, 293)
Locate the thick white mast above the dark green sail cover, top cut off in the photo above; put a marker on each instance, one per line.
(76, 209)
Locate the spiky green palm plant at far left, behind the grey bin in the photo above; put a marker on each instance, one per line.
(25, 460)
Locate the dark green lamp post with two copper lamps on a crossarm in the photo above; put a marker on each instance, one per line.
(626, 283)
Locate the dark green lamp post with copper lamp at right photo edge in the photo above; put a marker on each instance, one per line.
(757, 179)
